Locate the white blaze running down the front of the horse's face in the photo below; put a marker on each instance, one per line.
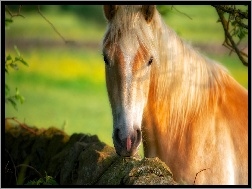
(130, 110)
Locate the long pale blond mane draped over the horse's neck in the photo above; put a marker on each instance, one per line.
(184, 84)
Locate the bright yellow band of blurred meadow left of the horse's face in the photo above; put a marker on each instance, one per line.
(64, 64)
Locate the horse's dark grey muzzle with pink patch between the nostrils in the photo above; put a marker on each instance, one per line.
(127, 146)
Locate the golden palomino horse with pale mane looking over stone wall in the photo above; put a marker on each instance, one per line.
(189, 111)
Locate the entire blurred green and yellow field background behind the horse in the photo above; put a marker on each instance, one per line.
(64, 84)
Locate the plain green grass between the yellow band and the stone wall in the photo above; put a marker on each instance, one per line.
(74, 105)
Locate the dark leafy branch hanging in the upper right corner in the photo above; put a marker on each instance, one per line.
(235, 28)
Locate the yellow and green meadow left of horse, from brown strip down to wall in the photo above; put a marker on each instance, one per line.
(67, 92)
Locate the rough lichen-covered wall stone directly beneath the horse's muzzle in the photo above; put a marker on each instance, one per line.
(135, 171)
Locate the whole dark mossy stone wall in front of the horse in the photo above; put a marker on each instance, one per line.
(76, 160)
